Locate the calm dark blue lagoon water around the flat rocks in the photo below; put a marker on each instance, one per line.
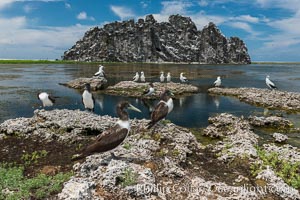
(20, 83)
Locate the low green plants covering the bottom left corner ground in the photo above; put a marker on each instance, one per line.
(14, 185)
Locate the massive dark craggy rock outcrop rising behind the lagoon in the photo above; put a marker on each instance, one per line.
(149, 41)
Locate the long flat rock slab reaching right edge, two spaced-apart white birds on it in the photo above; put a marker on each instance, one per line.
(273, 99)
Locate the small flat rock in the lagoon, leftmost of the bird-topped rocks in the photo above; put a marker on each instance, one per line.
(96, 83)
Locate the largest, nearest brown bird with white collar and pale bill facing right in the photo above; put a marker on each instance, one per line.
(113, 136)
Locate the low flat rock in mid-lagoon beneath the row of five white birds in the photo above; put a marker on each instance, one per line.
(133, 89)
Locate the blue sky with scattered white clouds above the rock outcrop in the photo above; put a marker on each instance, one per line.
(44, 29)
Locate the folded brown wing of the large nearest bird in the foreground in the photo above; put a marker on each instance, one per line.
(107, 140)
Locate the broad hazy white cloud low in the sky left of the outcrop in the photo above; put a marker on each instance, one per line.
(19, 42)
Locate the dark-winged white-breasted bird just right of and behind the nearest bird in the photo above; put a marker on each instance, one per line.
(162, 109)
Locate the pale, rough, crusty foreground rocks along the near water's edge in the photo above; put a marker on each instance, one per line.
(168, 162)
